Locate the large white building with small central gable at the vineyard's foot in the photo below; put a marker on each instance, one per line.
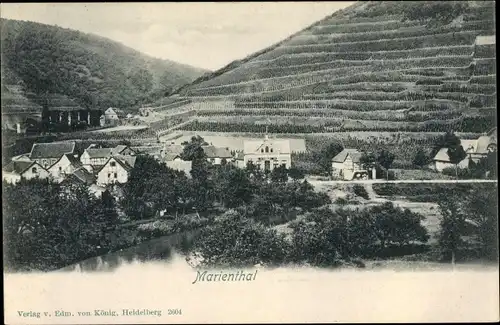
(267, 154)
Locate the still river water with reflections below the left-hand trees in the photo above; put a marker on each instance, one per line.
(161, 249)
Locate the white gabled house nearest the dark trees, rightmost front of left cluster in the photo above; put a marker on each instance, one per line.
(115, 170)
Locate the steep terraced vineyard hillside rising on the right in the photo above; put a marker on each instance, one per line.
(375, 66)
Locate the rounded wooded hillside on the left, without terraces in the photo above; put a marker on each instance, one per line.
(73, 68)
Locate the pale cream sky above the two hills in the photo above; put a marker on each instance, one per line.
(206, 35)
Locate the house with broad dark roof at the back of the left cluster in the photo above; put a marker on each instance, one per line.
(47, 154)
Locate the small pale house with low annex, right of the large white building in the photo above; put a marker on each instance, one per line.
(346, 163)
